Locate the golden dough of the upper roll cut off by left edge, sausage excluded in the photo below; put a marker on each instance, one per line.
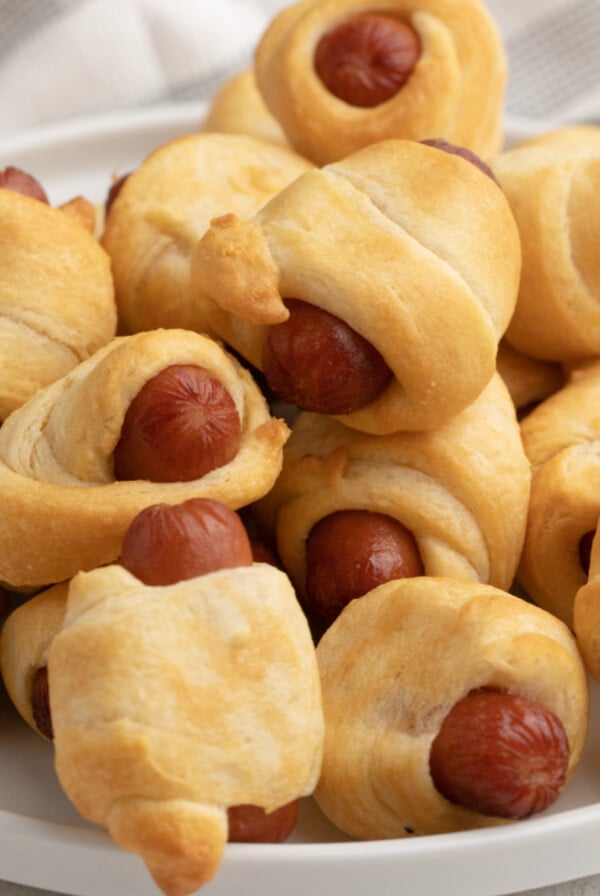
(57, 303)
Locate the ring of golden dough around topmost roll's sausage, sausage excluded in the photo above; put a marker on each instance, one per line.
(455, 91)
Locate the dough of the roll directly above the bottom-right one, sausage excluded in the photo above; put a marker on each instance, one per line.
(461, 490)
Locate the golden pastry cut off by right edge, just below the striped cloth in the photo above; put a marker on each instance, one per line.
(551, 184)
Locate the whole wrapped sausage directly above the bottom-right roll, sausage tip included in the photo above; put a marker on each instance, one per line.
(460, 493)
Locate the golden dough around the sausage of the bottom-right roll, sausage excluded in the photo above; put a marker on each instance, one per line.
(392, 666)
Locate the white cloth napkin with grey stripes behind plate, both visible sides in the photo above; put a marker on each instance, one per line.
(64, 59)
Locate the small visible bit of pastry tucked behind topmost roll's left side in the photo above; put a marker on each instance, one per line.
(238, 108)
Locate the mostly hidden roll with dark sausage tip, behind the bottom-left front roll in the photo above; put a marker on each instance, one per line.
(24, 642)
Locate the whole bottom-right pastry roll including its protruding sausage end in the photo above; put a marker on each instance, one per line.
(398, 664)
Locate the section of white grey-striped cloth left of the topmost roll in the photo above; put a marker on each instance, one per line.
(64, 59)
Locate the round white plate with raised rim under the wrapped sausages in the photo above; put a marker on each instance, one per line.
(43, 841)
